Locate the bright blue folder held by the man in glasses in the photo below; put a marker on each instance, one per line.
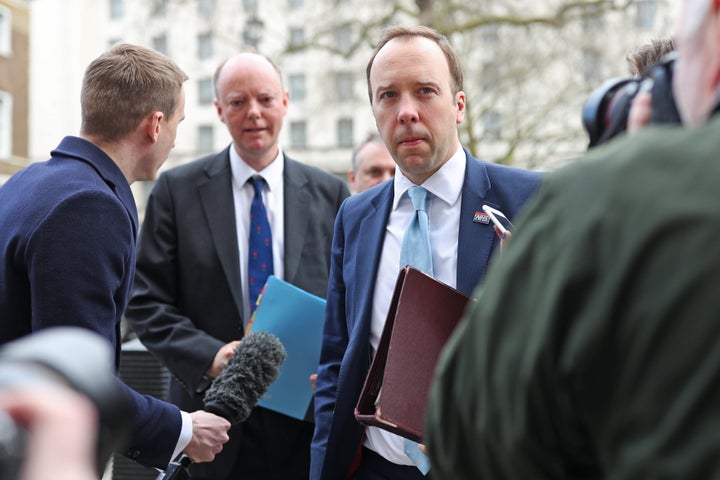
(296, 317)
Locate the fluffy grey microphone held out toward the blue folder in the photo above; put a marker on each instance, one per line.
(233, 394)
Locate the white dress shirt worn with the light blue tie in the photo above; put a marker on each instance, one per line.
(443, 208)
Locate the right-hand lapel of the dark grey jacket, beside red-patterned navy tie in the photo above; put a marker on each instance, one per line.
(297, 216)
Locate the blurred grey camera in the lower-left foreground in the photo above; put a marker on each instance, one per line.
(66, 357)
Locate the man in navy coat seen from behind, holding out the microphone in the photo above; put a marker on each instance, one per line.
(68, 228)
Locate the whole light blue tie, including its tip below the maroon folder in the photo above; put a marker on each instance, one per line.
(416, 251)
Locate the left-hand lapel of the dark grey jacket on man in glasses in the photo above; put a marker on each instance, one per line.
(216, 198)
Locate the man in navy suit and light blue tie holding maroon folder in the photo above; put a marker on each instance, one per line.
(415, 87)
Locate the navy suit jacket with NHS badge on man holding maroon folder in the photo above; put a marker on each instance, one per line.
(359, 235)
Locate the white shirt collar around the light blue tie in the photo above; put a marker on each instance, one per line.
(446, 183)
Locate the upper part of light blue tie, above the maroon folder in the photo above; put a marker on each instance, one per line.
(416, 249)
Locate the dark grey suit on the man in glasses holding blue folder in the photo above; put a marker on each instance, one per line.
(186, 299)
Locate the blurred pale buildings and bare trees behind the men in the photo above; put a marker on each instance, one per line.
(529, 65)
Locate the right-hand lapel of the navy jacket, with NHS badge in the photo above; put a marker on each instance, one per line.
(475, 240)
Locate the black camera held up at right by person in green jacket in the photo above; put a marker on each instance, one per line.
(605, 112)
